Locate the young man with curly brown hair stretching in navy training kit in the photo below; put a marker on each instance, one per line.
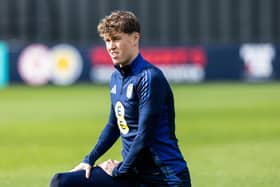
(142, 114)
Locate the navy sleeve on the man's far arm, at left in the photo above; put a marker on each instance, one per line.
(108, 137)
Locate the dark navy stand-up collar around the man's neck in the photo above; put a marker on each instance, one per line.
(134, 67)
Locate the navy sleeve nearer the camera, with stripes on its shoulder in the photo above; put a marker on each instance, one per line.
(150, 92)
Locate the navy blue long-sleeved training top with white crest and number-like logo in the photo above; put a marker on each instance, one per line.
(142, 114)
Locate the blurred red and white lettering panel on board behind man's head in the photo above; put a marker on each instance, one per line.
(179, 64)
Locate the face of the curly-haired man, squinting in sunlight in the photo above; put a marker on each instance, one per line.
(122, 47)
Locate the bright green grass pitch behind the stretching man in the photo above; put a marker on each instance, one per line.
(229, 133)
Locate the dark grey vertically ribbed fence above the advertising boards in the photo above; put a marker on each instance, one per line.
(164, 22)
